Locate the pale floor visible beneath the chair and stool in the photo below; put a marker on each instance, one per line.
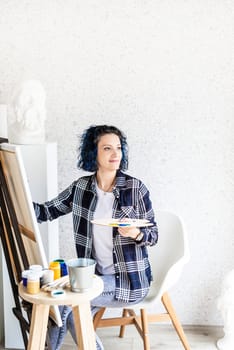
(161, 338)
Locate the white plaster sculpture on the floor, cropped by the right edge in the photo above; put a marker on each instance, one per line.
(226, 306)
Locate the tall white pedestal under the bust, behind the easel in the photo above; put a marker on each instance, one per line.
(40, 163)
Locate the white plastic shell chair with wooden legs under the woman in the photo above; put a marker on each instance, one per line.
(167, 259)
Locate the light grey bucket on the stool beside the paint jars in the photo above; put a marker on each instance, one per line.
(81, 272)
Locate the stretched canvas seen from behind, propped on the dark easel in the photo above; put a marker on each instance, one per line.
(23, 223)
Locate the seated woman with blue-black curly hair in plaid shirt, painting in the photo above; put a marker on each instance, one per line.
(120, 253)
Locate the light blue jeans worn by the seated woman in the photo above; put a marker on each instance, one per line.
(105, 299)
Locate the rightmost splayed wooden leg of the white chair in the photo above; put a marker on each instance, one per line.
(176, 323)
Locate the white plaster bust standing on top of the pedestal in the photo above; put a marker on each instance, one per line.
(29, 110)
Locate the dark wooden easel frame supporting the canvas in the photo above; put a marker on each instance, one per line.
(14, 251)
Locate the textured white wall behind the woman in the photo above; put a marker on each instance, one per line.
(163, 72)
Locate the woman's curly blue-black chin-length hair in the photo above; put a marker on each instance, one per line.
(87, 155)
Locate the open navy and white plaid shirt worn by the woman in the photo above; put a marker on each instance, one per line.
(131, 264)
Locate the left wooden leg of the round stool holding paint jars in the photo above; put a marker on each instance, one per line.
(38, 328)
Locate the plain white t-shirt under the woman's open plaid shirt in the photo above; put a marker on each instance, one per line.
(102, 235)
